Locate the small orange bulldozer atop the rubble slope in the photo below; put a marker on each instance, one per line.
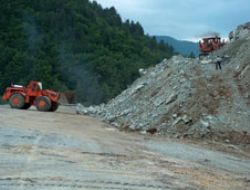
(210, 44)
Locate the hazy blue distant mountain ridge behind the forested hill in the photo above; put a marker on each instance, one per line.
(180, 46)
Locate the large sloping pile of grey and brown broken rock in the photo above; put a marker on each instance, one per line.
(187, 97)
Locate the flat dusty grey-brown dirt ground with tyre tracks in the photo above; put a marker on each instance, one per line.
(64, 151)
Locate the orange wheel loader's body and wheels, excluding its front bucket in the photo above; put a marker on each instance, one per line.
(20, 97)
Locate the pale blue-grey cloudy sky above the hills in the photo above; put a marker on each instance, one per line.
(183, 19)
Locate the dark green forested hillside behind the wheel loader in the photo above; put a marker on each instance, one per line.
(73, 45)
